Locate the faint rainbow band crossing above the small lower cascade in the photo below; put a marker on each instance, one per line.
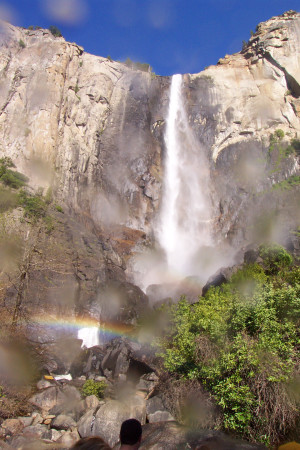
(108, 329)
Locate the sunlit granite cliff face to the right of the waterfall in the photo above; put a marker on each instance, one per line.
(234, 107)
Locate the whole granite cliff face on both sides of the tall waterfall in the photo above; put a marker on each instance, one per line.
(93, 130)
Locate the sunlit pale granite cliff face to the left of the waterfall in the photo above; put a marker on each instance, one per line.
(84, 123)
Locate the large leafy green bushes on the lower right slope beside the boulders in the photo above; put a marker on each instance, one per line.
(240, 341)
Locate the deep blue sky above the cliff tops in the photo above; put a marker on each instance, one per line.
(173, 36)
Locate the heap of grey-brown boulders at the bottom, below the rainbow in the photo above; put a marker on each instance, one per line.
(62, 415)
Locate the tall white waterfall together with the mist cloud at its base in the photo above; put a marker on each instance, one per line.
(185, 255)
